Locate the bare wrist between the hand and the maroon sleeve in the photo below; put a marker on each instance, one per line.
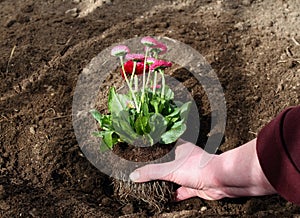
(238, 173)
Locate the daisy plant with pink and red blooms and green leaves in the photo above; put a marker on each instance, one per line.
(147, 113)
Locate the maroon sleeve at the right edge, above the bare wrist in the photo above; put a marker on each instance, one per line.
(278, 150)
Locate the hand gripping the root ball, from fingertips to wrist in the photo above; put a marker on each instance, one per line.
(190, 169)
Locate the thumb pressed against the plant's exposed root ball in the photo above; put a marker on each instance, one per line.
(153, 172)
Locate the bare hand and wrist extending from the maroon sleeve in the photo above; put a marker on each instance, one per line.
(234, 173)
